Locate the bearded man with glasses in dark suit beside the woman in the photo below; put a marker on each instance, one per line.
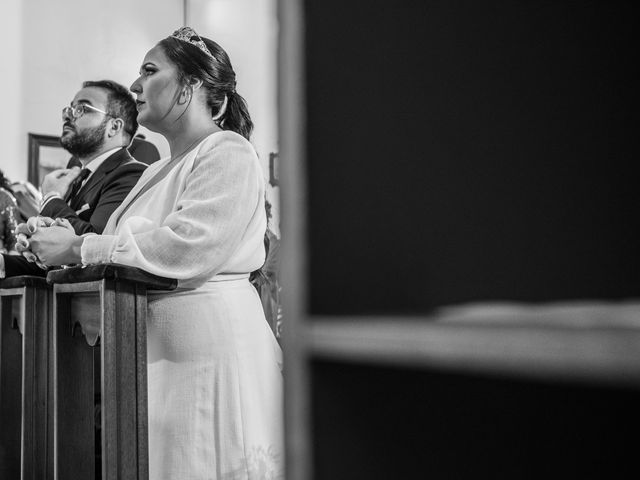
(97, 128)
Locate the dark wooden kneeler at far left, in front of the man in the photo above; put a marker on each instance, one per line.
(25, 393)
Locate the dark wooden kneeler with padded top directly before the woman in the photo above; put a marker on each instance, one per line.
(99, 356)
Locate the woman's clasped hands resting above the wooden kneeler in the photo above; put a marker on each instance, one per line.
(46, 241)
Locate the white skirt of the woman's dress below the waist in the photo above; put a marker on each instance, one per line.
(214, 385)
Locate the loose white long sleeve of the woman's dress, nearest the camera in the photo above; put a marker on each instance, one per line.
(209, 224)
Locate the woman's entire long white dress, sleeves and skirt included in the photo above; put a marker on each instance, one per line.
(215, 381)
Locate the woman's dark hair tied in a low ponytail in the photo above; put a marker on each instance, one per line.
(218, 79)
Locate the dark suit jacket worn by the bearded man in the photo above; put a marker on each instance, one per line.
(90, 209)
